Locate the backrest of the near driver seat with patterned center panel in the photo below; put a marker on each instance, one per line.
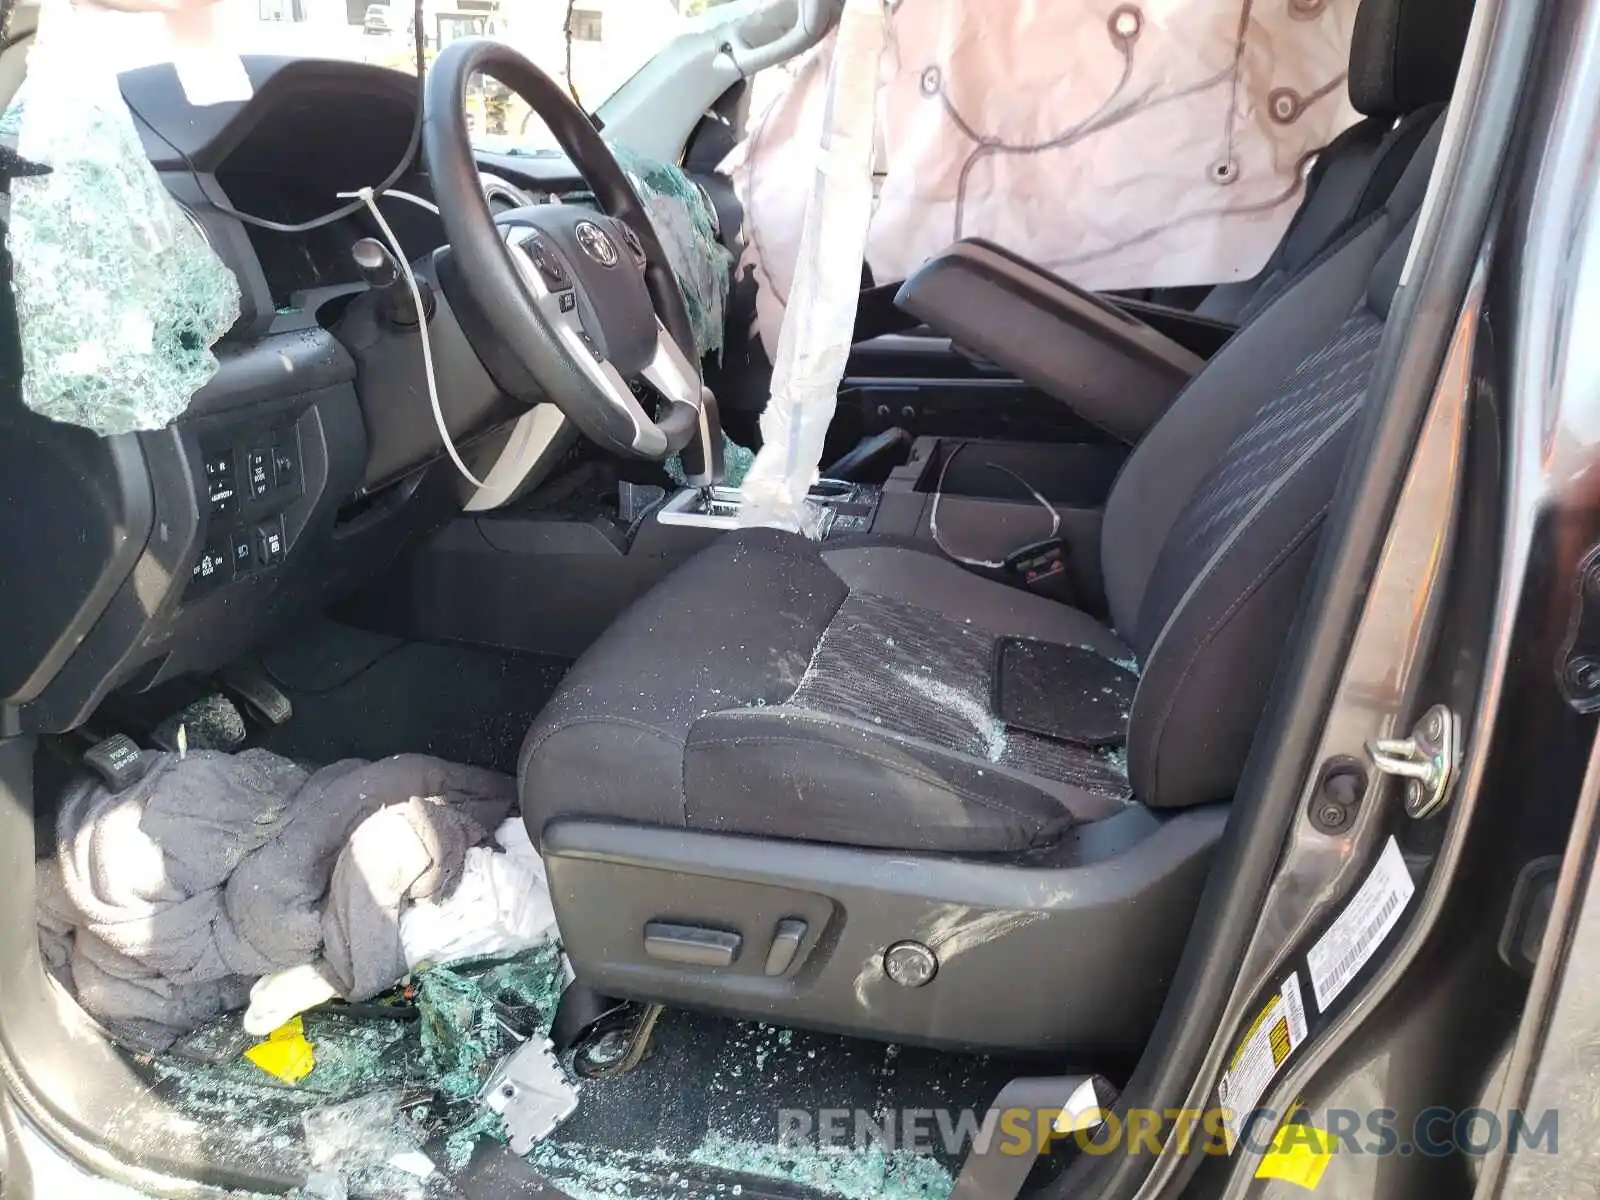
(1212, 527)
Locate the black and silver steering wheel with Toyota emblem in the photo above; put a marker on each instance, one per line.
(582, 302)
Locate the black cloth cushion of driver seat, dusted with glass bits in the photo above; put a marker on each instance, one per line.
(783, 689)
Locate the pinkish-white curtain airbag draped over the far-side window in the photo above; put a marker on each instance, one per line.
(1121, 145)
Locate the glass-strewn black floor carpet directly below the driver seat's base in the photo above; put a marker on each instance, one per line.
(719, 1094)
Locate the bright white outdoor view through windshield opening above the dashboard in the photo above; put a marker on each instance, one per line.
(593, 47)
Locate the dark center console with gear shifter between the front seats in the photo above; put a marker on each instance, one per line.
(551, 580)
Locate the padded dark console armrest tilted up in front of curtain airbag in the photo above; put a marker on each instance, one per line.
(1110, 367)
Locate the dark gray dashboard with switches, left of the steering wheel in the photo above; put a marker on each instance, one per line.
(313, 455)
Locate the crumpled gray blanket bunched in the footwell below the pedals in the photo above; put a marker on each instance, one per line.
(166, 902)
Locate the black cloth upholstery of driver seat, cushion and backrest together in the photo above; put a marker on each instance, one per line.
(841, 694)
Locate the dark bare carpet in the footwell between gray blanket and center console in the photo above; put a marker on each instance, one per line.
(367, 697)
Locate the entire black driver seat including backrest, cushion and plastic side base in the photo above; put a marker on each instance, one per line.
(778, 788)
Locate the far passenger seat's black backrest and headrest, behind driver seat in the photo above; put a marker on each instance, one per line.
(1404, 63)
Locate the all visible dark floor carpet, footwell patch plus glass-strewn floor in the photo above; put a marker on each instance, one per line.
(703, 1116)
